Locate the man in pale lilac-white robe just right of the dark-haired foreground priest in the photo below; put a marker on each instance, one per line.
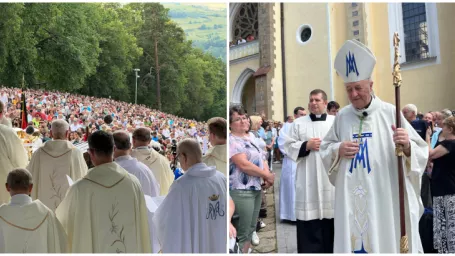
(122, 157)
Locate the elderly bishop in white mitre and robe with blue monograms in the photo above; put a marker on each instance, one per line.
(359, 154)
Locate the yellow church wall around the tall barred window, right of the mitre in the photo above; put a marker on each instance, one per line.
(429, 87)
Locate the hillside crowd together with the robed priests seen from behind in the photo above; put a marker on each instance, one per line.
(121, 195)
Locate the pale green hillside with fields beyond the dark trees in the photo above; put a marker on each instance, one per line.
(204, 24)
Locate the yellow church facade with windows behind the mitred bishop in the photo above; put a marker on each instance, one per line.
(291, 47)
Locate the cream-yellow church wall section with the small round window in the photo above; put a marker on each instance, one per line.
(307, 66)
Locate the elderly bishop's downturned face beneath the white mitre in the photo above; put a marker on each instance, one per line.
(359, 93)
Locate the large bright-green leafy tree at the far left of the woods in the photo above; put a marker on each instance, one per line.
(49, 48)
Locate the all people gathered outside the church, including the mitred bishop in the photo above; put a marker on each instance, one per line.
(339, 177)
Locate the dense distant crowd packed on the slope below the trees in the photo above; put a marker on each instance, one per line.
(87, 114)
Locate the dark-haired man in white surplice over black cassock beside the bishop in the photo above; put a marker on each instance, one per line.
(314, 200)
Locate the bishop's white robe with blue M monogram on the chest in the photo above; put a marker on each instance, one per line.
(366, 187)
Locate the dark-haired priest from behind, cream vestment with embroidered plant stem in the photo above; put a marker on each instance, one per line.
(105, 212)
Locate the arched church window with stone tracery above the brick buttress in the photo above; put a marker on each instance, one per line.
(246, 21)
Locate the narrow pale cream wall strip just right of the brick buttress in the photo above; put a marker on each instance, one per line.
(277, 80)
